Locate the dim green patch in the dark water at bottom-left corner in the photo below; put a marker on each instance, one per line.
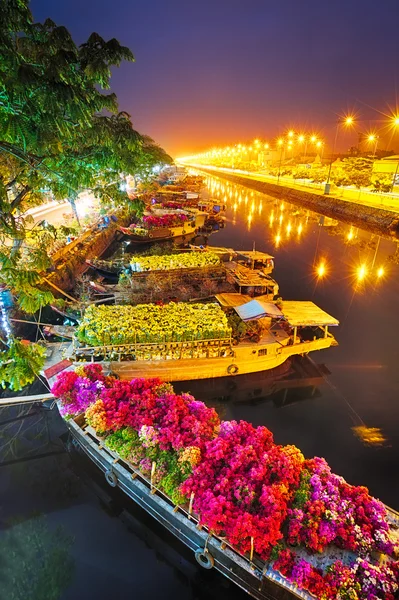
(35, 561)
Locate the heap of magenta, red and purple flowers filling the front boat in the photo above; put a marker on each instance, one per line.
(262, 497)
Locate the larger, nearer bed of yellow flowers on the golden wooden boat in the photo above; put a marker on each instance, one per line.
(152, 323)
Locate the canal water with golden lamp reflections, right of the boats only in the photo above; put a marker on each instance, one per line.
(353, 275)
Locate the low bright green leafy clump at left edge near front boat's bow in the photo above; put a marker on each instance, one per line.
(20, 364)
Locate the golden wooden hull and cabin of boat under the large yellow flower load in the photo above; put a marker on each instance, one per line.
(297, 328)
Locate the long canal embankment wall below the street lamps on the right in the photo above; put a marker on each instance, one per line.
(375, 220)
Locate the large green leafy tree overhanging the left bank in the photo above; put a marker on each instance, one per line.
(61, 132)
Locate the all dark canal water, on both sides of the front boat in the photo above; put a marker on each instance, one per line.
(65, 535)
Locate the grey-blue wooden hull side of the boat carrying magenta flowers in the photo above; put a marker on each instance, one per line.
(211, 551)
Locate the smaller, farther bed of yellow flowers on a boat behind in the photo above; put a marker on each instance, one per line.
(166, 262)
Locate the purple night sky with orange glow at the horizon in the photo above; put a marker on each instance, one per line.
(222, 71)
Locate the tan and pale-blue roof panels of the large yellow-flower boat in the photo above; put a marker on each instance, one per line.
(296, 312)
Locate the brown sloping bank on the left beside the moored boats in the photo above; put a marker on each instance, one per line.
(69, 262)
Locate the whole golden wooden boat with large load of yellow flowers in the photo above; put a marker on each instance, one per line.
(187, 341)
